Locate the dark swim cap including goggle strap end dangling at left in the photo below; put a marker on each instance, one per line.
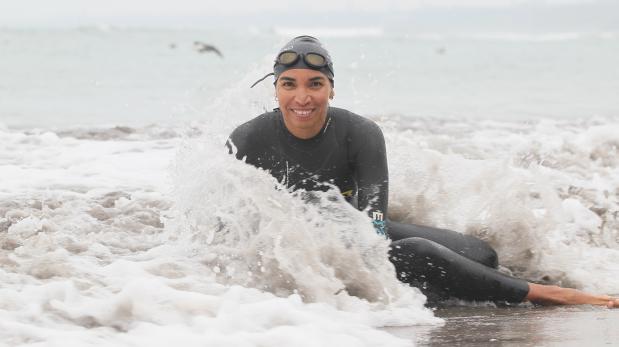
(304, 46)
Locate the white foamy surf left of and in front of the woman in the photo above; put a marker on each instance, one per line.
(86, 264)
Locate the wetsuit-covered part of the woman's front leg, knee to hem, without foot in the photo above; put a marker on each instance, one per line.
(442, 273)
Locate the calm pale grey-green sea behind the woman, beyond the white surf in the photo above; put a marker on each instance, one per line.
(112, 76)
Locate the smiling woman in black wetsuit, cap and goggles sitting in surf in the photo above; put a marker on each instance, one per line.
(305, 144)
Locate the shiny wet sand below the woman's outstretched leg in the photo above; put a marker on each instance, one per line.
(518, 326)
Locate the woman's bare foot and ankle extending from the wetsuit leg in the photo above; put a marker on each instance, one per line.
(555, 295)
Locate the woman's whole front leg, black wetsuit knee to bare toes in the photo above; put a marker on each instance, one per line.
(441, 273)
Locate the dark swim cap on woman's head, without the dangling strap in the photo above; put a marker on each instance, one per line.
(304, 45)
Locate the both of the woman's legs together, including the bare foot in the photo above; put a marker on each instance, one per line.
(443, 264)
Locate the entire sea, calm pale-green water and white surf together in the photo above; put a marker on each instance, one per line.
(124, 222)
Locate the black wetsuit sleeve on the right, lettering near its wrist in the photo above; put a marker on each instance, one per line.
(372, 175)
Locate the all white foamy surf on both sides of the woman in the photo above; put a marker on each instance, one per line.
(92, 254)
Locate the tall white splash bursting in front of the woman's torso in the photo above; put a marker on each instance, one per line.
(256, 235)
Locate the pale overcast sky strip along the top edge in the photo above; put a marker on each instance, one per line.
(128, 12)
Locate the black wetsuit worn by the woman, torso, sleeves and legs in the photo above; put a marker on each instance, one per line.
(349, 152)
